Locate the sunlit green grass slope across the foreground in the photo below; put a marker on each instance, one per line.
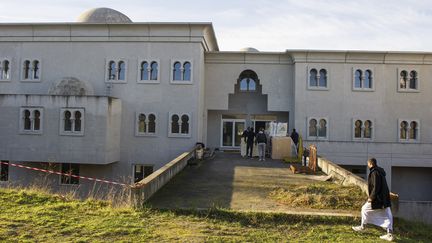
(35, 216)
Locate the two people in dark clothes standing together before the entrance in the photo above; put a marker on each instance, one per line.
(259, 138)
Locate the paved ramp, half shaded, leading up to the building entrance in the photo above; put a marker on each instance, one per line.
(229, 181)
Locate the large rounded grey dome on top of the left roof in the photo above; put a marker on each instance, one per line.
(103, 15)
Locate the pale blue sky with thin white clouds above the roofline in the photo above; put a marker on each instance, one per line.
(397, 25)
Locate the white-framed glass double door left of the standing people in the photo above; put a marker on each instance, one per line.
(232, 131)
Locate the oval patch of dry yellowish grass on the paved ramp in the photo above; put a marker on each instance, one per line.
(323, 195)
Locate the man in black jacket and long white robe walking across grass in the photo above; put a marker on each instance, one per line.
(377, 208)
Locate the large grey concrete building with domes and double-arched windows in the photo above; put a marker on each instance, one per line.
(109, 98)
